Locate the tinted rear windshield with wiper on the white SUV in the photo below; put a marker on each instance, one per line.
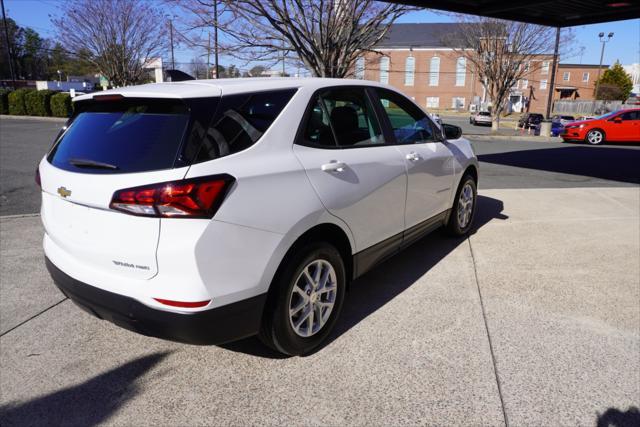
(127, 135)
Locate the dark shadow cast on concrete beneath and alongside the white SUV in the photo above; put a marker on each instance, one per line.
(387, 280)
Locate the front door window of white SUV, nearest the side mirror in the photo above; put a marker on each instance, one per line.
(410, 125)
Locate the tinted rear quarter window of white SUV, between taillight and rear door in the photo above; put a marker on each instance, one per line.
(240, 121)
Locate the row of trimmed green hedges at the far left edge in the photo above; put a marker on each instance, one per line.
(30, 102)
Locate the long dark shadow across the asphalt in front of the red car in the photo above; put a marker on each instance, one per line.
(608, 162)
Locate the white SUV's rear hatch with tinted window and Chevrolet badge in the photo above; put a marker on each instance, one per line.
(112, 144)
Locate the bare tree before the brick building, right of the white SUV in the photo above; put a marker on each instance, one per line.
(501, 53)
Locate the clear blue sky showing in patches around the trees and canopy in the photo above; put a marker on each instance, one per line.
(625, 45)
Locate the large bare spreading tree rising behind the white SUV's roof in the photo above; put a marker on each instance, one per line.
(327, 36)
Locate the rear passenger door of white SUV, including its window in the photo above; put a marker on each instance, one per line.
(358, 176)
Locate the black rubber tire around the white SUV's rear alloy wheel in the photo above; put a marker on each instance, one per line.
(276, 330)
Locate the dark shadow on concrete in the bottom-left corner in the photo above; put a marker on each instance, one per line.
(89, 403)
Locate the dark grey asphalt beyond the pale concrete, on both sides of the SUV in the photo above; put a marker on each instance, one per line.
(511, 163)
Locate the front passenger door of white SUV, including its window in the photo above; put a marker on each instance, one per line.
(428, 160)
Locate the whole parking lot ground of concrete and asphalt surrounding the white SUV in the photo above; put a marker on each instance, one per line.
(532, 320)
